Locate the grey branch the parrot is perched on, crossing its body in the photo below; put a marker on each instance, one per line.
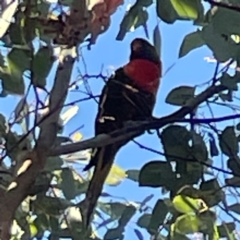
(131, 130)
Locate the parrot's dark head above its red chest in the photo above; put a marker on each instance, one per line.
(142, 49)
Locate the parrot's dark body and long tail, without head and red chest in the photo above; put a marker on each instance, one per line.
(120, 102)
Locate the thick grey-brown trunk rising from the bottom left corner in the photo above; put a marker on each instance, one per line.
(35, 160)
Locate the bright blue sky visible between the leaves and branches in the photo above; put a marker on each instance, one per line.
(190, 70)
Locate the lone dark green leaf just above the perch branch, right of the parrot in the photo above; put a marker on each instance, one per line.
(180, 95)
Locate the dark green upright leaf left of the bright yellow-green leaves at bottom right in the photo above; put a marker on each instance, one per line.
(159, 213)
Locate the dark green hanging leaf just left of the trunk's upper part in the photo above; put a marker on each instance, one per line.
(42, 64)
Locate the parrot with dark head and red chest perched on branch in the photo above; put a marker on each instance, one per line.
(128, 95)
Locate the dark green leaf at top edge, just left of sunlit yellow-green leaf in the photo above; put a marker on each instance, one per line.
(166, 11)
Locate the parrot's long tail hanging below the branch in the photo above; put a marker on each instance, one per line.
(102, 160)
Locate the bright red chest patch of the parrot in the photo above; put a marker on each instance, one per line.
(145, 74)
